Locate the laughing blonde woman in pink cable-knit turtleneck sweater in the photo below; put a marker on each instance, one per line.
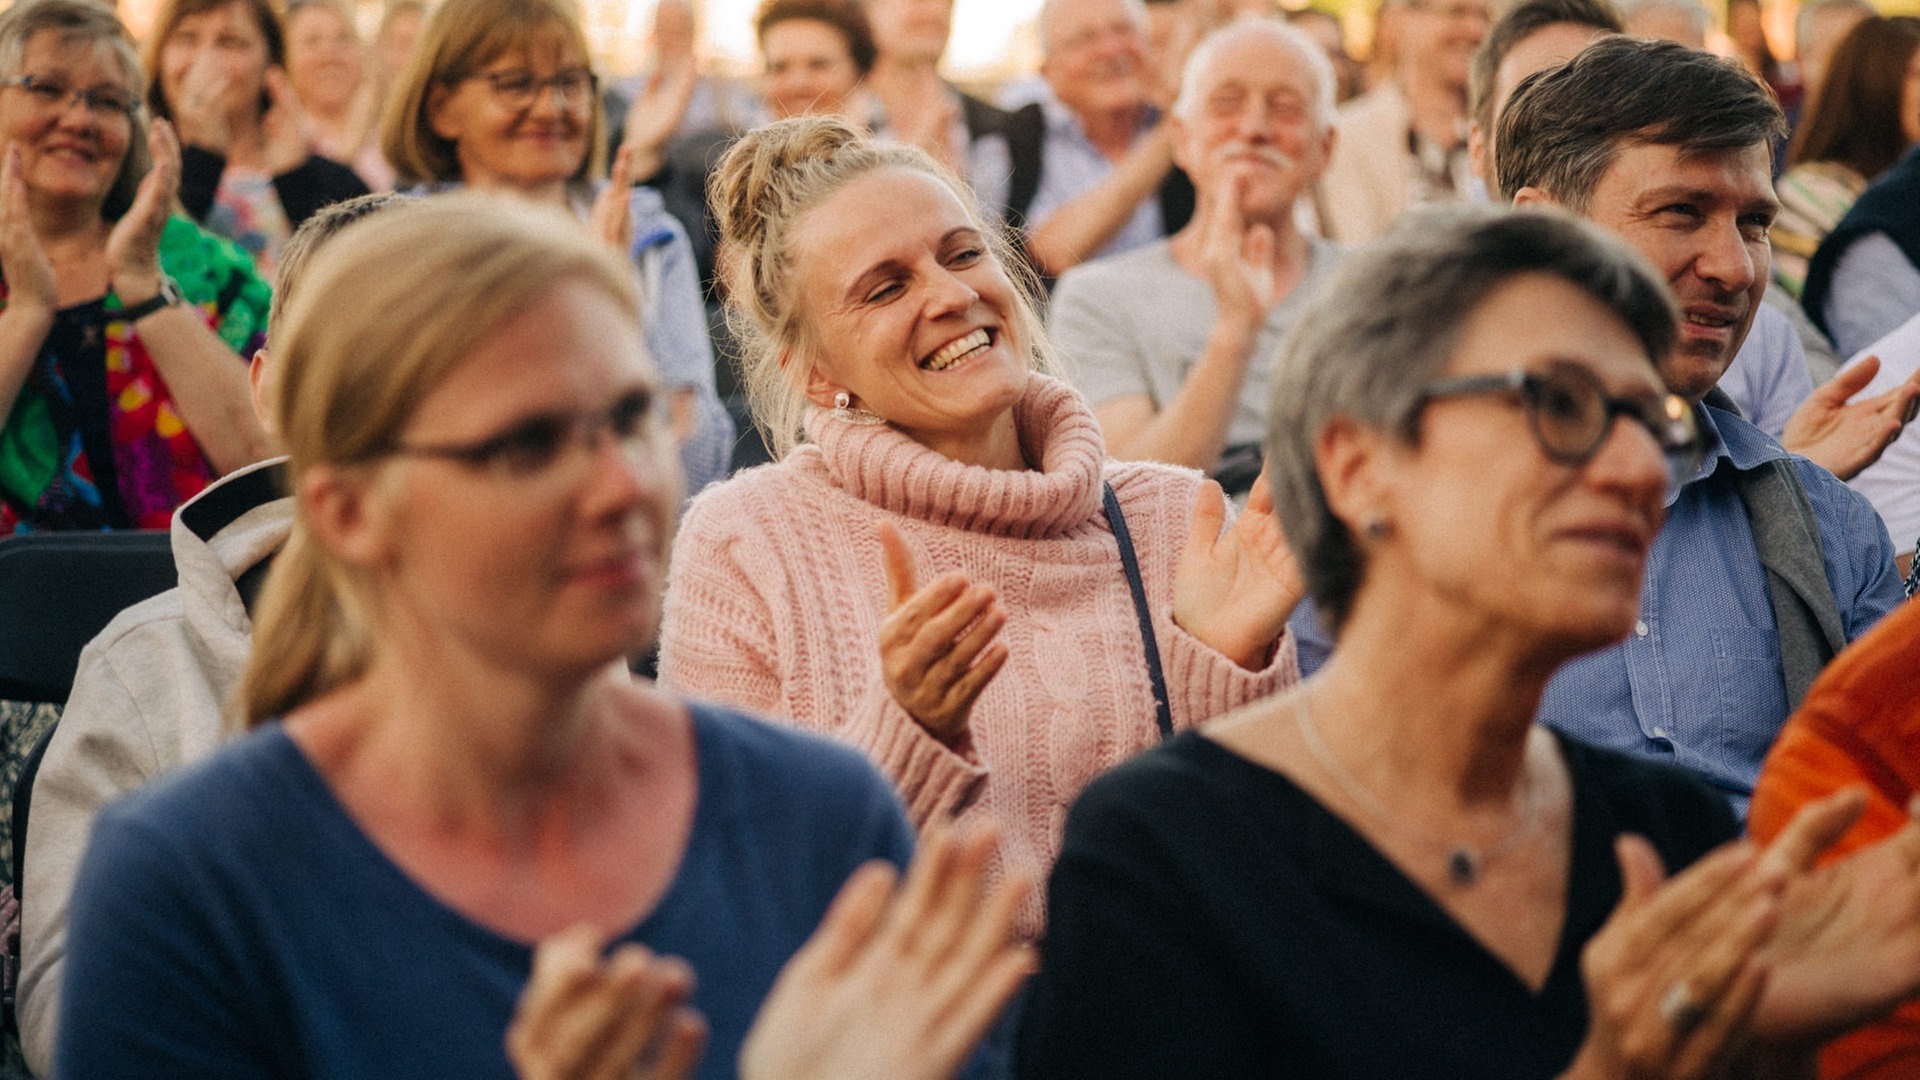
(932, 570)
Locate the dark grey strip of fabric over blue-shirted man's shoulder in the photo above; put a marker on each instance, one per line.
(1788, 541)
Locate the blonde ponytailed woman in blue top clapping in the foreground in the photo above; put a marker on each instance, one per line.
(462, 766)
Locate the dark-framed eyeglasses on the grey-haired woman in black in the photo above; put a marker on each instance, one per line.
(1572, 414)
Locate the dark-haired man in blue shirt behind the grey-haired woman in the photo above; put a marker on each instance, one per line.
(1767, 564)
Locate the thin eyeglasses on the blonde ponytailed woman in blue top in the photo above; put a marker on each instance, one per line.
(537, 447)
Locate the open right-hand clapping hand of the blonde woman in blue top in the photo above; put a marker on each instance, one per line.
(898, 987)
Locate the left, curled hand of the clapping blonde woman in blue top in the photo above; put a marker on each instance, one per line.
(617, 1018)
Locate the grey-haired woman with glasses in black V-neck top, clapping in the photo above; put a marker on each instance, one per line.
(1393, 871)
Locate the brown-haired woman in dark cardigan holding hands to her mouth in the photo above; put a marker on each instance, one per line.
(220, 74)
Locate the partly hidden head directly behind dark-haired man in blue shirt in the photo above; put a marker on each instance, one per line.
(1531, 36)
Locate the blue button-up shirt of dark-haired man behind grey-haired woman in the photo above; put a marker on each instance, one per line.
(1698, 681)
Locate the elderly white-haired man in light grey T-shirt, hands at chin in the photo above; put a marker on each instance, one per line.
(1172, 343)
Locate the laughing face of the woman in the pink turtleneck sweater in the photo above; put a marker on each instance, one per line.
(909, 312)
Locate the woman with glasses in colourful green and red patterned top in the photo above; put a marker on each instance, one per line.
(120, 378)
